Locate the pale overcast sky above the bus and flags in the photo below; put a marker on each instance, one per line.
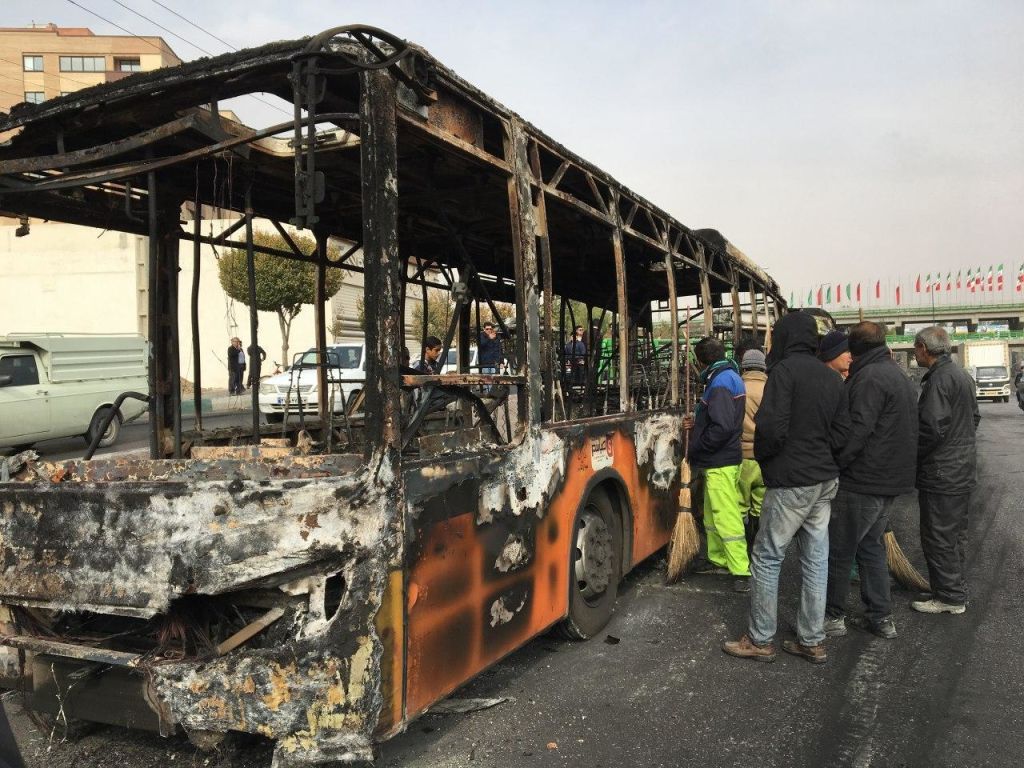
(831, 142)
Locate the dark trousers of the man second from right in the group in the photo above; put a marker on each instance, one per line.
(856, 530)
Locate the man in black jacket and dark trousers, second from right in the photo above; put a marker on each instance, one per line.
(876, 447)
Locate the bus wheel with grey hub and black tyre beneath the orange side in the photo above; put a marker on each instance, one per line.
(594, 568)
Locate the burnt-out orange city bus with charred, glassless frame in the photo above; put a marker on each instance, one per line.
(324, 582)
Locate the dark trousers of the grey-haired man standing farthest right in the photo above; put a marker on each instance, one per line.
(944, 540)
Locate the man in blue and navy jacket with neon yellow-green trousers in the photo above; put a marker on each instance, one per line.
(715, 450)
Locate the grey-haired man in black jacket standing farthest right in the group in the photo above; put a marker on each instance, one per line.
(949, 416)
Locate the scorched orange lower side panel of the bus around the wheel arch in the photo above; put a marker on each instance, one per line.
(482, 583)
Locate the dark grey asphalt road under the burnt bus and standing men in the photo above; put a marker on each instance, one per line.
(656, 690)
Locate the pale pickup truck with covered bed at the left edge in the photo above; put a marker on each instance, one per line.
(61, 386)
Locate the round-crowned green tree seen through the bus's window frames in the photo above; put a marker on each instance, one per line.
(283, 286)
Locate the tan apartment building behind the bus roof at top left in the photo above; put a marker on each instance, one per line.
(47, 62)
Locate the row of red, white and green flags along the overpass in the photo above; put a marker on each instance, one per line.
(974, 281)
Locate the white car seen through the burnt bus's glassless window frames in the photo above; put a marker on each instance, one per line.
(284, 393)
